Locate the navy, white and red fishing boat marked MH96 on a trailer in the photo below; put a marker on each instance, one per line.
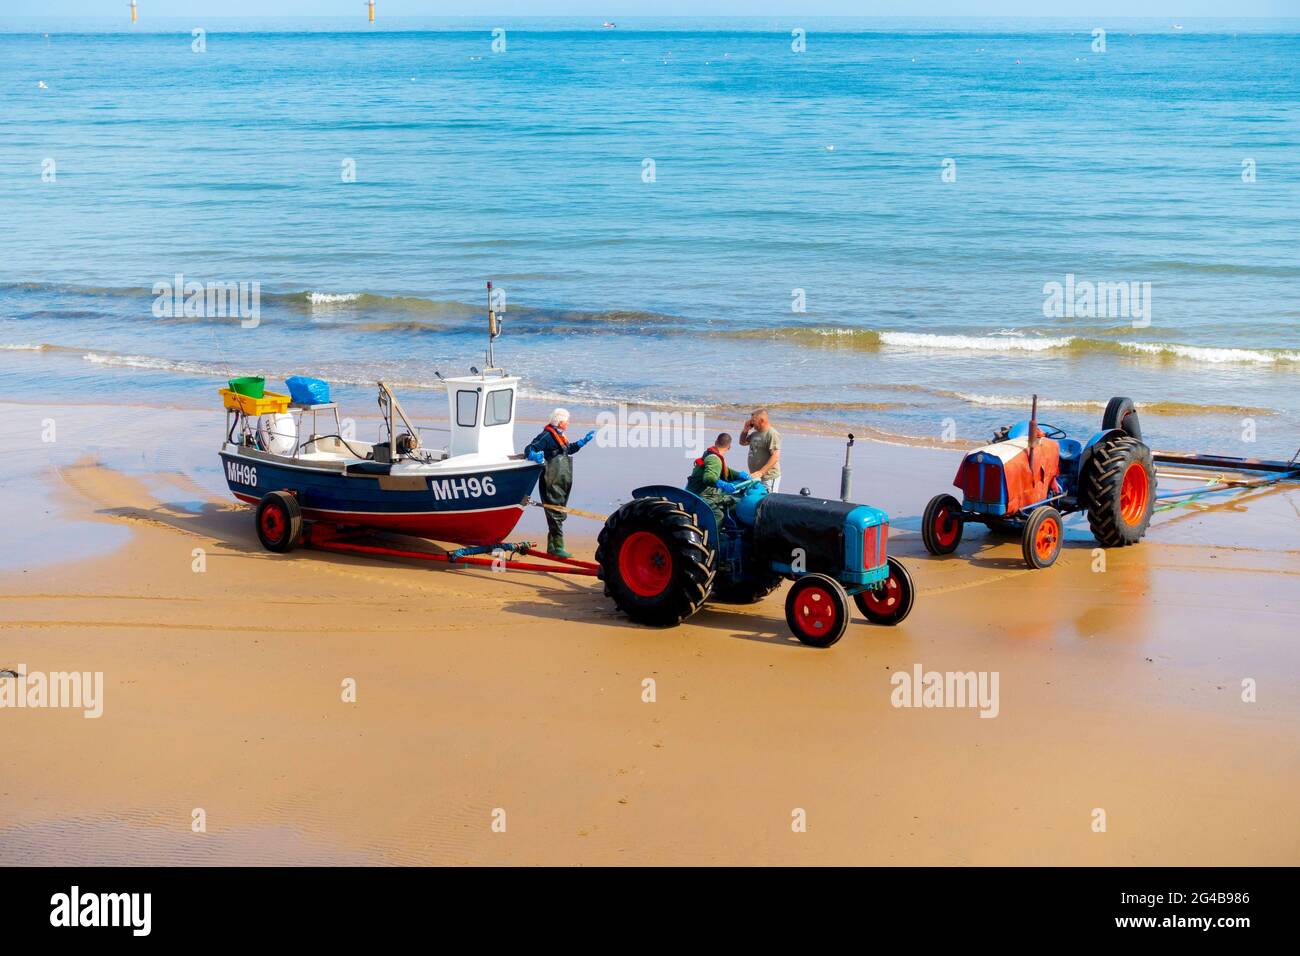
(474, 491)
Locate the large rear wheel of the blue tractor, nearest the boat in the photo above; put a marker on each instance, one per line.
(655, 563)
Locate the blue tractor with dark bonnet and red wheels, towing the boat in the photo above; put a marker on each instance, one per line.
(662, 556)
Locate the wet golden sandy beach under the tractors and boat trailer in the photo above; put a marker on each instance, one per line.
(518, 698)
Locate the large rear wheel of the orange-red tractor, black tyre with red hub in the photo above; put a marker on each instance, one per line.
(1120, 486)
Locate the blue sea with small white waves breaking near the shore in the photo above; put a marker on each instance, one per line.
(902, 228)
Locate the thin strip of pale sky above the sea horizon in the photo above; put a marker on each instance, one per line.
(1175, 10)
